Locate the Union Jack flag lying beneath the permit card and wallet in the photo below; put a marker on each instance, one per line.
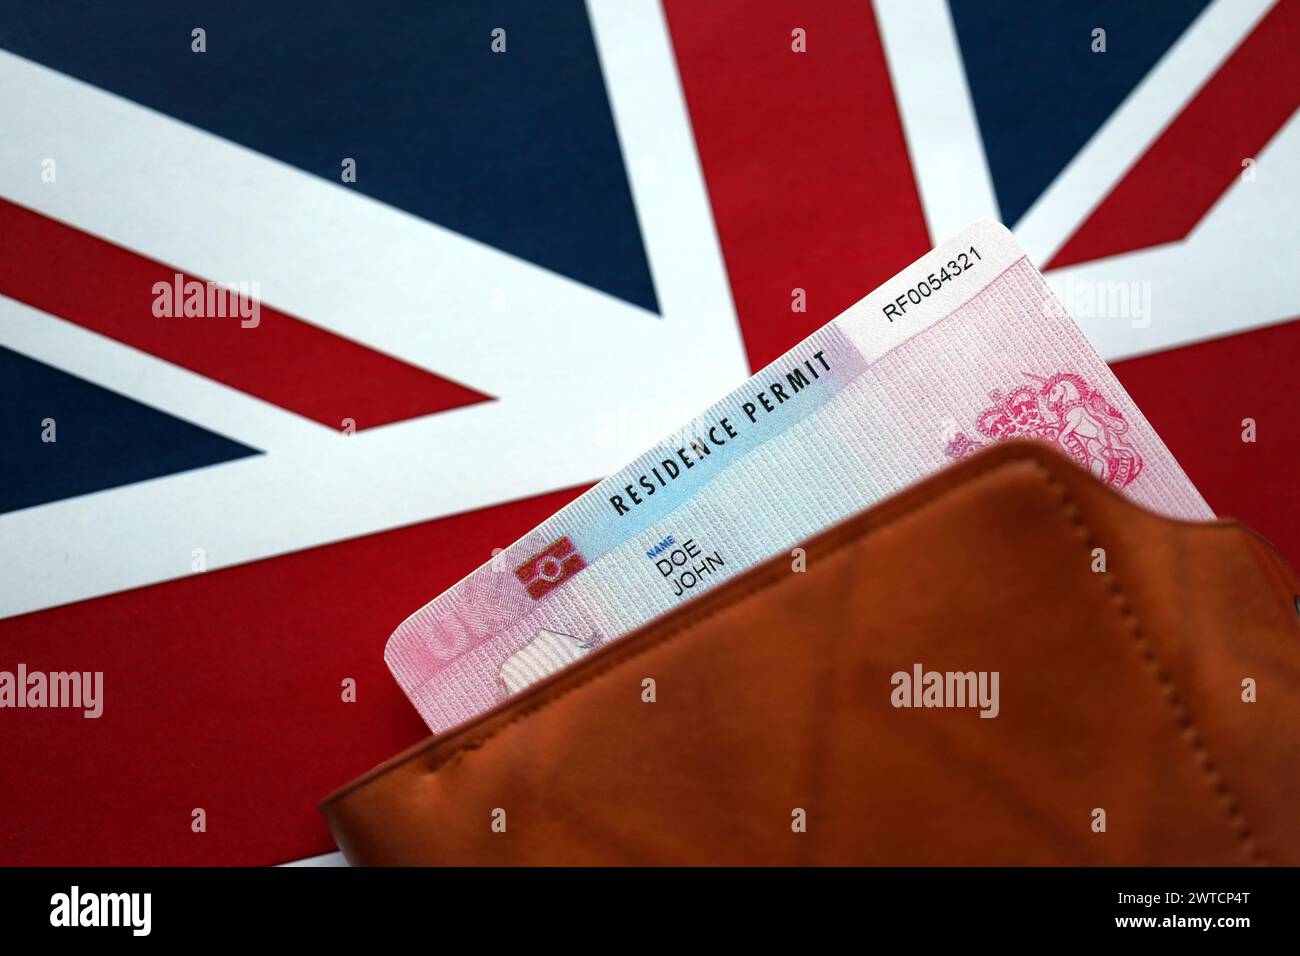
(471, 258)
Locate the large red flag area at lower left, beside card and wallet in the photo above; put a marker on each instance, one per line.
(223, 693)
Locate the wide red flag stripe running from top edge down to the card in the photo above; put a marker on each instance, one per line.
(804, 157)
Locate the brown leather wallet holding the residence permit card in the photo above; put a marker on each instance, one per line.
(1146, 713)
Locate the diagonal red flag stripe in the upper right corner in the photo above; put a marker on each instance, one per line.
(1186, 171)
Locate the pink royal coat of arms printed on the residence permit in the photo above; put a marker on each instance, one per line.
(1064, 412)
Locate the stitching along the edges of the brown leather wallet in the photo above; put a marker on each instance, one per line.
(1237, 820)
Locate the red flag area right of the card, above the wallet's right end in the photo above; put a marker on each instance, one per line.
(1198, 399)
